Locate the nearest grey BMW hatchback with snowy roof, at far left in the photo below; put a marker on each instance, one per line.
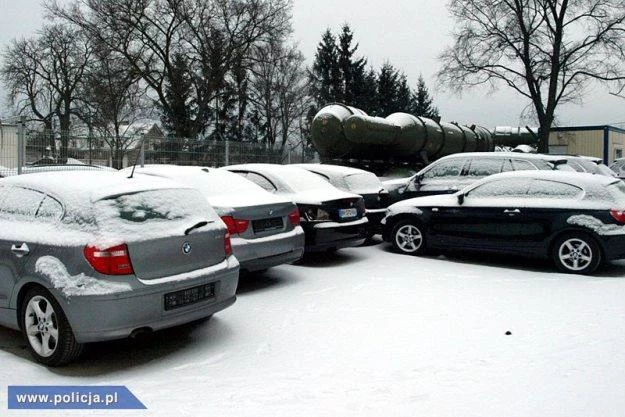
(101, 256)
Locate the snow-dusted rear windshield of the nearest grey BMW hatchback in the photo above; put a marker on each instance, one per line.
(150, 214)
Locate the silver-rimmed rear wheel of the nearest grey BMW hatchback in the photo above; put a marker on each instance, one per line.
(46, 330)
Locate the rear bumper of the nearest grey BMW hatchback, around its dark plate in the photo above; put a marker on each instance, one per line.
(105, 317)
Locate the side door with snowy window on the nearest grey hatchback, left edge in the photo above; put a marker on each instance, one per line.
(18, 233)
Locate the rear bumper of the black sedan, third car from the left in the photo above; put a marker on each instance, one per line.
(332, 235)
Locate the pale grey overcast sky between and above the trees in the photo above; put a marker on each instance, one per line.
(409, 34)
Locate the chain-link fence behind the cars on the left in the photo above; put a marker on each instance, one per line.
(69, 150)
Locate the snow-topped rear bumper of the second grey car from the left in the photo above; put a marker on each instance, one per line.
(266, 252)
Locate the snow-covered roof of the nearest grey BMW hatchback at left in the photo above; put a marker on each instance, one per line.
(91, 185)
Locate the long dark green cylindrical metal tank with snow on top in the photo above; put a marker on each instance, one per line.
(345, 132)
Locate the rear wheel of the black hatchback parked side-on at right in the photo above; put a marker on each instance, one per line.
(576, 253)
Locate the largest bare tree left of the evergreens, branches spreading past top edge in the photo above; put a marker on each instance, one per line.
(211, 34)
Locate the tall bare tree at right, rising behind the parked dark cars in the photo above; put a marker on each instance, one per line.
(545, 50)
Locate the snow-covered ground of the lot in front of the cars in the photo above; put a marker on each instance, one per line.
(367, 332)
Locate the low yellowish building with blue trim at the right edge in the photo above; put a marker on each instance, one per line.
(605, 141)
